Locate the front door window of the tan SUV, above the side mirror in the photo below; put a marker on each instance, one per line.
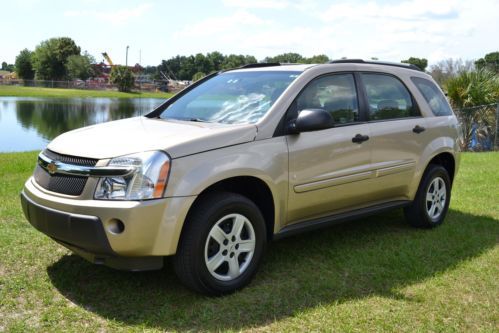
(334, 93)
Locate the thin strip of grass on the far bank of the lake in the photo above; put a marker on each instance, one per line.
(72, 93)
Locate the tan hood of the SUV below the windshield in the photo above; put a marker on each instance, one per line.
(122, 137)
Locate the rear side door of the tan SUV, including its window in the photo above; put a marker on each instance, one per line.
(398, 134)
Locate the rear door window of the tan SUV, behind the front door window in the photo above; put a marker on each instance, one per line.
(387, 97)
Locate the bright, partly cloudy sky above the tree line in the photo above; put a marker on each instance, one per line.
(155, 30)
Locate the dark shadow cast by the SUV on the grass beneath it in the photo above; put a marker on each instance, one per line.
(372, 256)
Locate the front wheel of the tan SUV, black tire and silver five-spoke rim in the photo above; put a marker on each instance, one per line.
(213, 257)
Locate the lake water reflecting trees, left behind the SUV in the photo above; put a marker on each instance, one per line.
(30, 123)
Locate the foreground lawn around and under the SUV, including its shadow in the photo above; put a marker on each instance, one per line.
(375, 274)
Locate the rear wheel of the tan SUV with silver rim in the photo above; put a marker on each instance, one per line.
(430, 206)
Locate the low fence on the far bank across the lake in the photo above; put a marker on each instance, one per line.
(80, 84)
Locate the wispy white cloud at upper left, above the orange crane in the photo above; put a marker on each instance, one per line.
(119, 16)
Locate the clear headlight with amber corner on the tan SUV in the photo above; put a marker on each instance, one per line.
(148, 181)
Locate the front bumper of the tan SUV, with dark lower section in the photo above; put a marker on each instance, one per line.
(151, 228)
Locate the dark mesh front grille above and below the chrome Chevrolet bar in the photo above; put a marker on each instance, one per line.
(64, 184)
